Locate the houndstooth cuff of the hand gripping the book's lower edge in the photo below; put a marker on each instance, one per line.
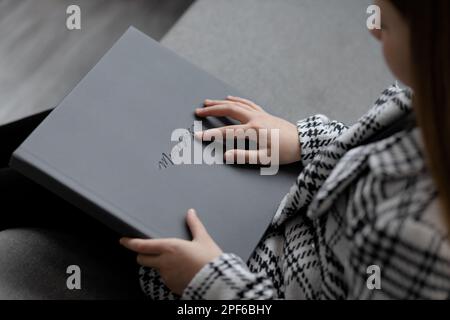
(228, 278)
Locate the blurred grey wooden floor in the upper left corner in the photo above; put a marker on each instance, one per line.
(41, 61)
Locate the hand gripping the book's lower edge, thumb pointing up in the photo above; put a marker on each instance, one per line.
(177, 261)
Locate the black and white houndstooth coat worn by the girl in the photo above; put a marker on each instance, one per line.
(359, 202)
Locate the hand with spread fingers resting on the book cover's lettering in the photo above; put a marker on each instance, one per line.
(251, 116)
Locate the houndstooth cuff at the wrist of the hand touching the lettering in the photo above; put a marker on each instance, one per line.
(316, 133)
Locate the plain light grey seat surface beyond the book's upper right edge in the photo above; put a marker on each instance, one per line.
(299, 57)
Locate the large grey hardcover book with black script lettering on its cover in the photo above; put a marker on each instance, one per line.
(106, 149)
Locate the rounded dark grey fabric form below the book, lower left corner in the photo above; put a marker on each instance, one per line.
(33, 265)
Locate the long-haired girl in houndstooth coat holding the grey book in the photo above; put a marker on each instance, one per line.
(373, 196)
